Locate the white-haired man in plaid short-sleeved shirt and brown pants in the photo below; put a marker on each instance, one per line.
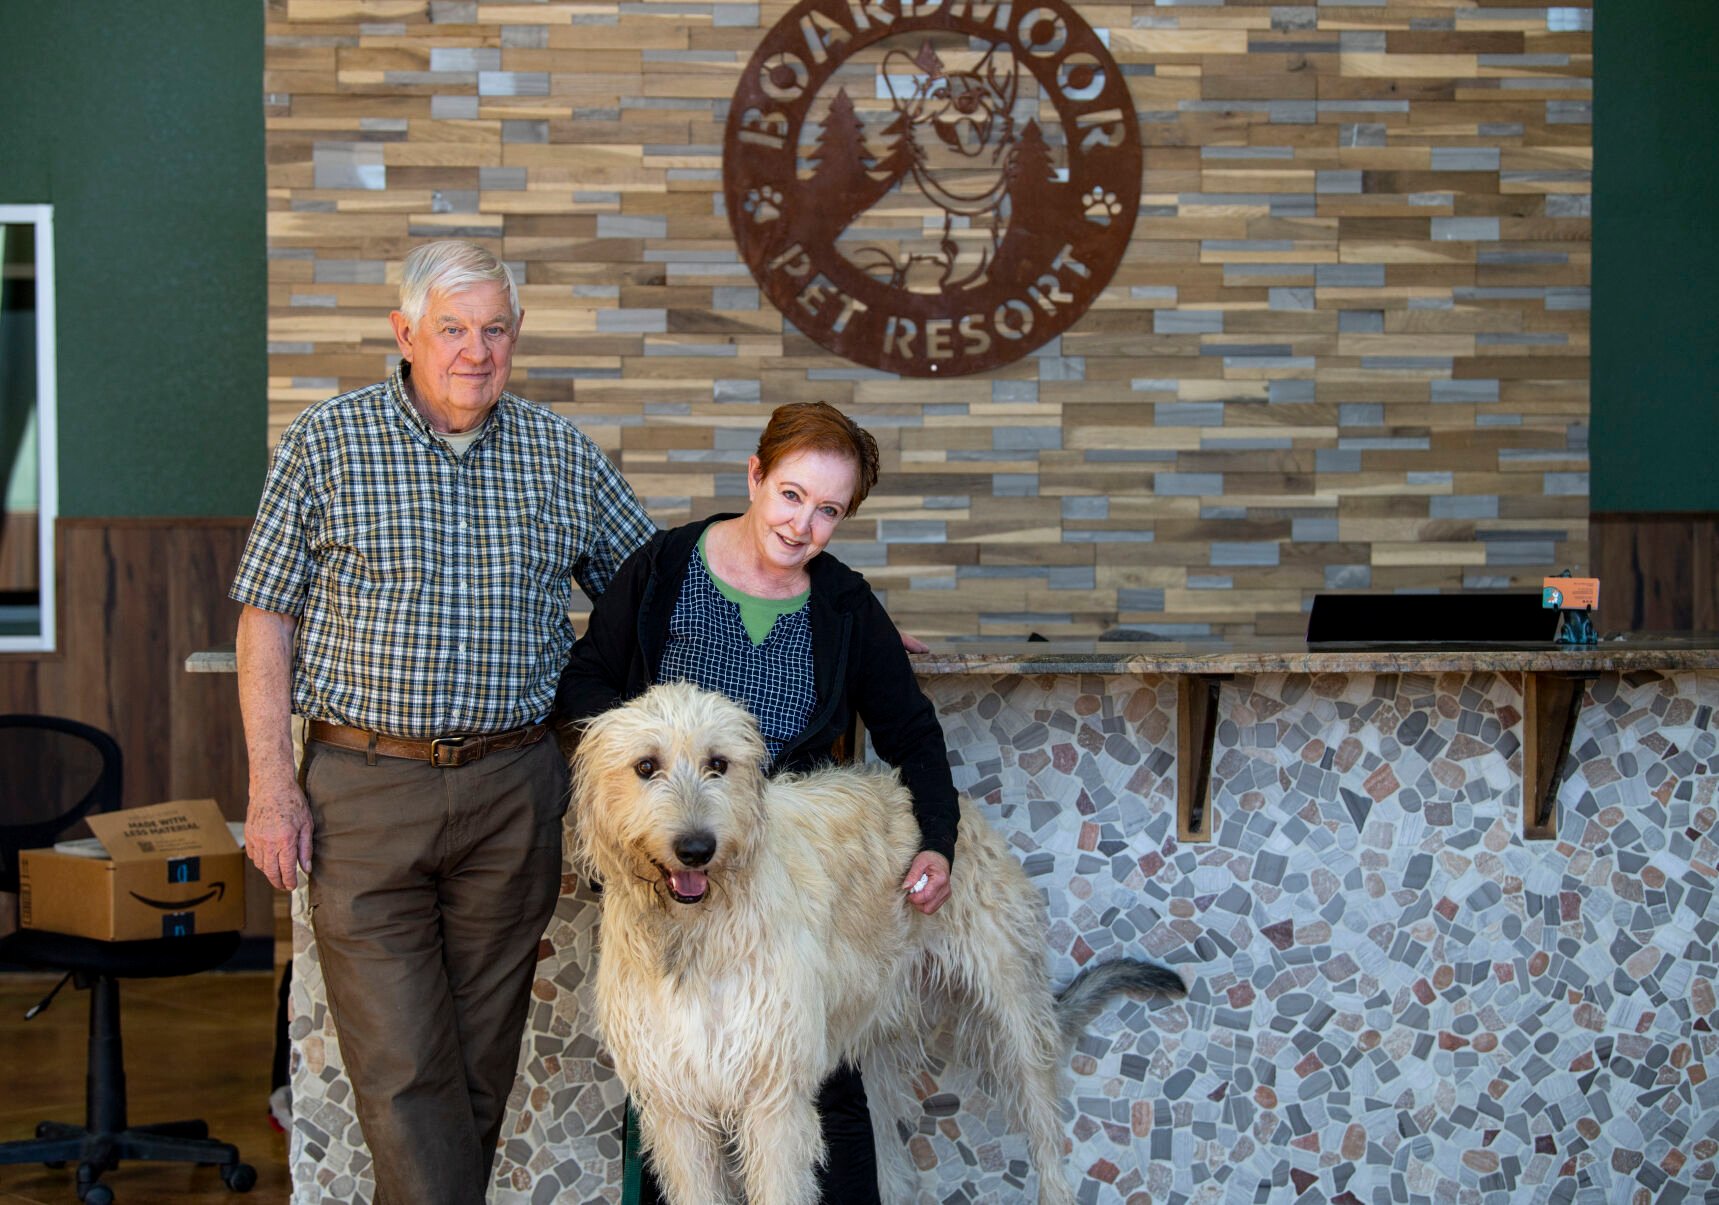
(407, 592)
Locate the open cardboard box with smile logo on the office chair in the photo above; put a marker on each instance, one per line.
(171, 871)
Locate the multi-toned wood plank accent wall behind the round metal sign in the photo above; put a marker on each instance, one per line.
(1347, 350)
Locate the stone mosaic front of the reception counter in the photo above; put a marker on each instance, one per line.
(1397, 998)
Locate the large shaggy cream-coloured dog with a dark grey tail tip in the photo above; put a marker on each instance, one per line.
(756, 934)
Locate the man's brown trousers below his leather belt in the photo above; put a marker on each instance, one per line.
(429, 895)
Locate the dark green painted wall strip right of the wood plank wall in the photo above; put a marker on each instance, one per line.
(1656, 257)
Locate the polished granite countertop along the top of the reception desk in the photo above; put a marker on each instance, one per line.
(1287, 656)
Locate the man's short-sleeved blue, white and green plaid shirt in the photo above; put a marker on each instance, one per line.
(432, 590)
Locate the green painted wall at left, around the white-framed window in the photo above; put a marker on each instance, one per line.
(144, 126)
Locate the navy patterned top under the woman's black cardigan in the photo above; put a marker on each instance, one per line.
(711, 649)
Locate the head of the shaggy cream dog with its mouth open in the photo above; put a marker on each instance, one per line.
(668, 792)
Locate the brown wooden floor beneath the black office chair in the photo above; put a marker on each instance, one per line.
(195, 1048)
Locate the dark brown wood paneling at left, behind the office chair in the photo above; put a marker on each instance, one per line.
(137, 597)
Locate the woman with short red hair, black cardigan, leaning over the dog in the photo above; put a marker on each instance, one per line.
(756, 608)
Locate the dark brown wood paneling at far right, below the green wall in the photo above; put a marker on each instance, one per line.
(1658, 572)
